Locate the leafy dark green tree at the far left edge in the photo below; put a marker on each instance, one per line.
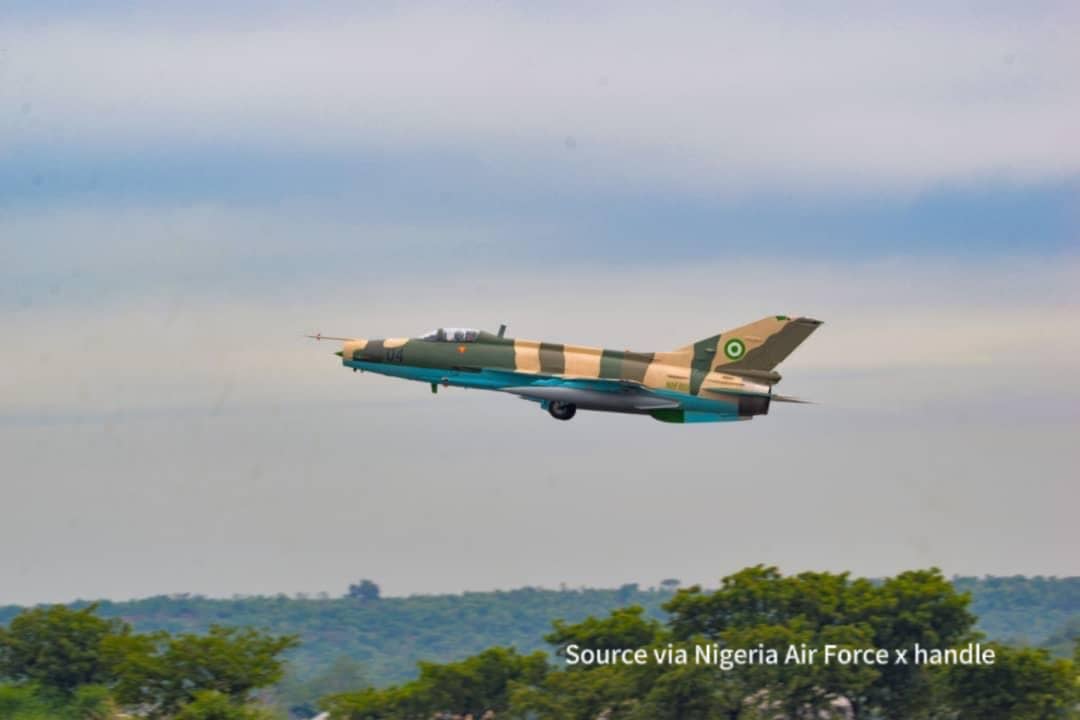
(60, 648)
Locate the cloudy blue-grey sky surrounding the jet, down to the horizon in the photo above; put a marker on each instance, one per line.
(185, 193)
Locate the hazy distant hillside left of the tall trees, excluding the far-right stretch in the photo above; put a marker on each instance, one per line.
(389, 636)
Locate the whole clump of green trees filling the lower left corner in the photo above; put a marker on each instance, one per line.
(63, 664)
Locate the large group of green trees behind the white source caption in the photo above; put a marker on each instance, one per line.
(757, 608)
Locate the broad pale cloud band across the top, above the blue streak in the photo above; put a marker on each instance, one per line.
(704, 99)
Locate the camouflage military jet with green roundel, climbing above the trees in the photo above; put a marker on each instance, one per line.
(722, 378)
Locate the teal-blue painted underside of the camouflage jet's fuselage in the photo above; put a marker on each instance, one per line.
(692, 409)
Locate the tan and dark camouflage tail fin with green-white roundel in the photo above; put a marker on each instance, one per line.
(759, 347)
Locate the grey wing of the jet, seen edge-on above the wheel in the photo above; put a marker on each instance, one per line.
(593, 395)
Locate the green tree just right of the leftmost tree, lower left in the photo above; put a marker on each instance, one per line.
(163, 673)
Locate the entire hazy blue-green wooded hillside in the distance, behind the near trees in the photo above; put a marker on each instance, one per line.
(390, 635)
